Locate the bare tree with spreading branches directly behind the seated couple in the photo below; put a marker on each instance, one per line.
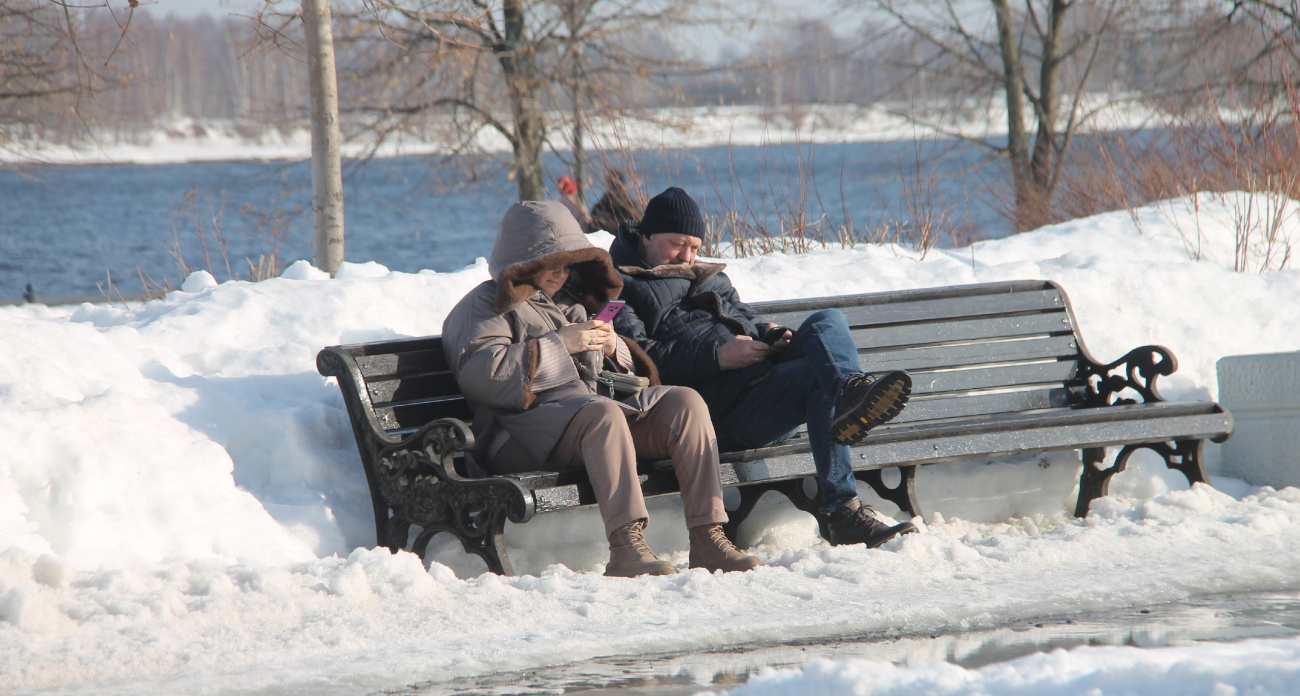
(471, 68)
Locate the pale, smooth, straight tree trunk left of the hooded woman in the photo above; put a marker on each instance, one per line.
(327, 166)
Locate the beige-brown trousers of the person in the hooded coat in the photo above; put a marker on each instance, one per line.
(608, 442)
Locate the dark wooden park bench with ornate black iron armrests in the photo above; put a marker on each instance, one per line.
(999, 369)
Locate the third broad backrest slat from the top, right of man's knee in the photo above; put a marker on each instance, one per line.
(970, 355)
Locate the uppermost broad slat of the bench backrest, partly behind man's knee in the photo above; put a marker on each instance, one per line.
(934, 310)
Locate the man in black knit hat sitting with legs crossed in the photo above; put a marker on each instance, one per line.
(761, 382)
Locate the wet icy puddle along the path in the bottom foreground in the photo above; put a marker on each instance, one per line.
(1214, 619)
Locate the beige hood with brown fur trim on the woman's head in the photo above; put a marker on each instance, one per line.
(535, 235)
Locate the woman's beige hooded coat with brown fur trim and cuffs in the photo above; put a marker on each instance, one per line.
(502, 343)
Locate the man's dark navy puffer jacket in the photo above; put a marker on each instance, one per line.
(681, 315)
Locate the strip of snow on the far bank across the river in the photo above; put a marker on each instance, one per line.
(188, 140)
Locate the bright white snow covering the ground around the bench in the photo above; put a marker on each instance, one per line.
(181, 502)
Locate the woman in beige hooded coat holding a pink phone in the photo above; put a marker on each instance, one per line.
(527, 360)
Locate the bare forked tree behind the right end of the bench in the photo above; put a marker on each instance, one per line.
(1033, 57)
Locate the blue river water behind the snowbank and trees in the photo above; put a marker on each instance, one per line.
(70, 231)
